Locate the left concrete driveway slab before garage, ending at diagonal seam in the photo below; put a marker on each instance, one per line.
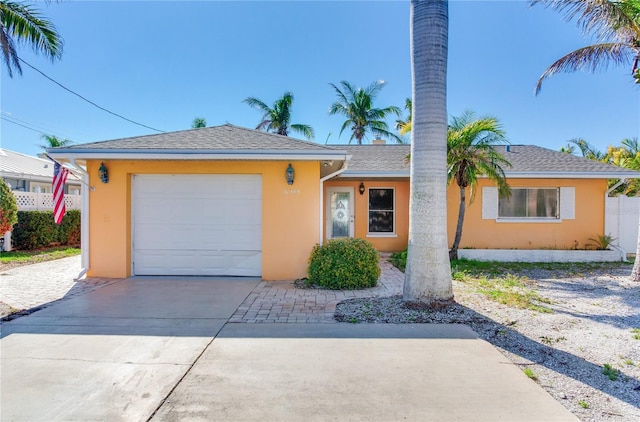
(115, 353)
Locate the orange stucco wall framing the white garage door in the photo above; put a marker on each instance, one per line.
(290, 214)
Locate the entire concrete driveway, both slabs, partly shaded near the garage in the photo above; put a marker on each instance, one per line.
(161, 349)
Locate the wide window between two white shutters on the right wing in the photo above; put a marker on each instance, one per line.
(530, 203)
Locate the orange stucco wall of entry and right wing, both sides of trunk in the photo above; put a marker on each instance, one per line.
(483, 234)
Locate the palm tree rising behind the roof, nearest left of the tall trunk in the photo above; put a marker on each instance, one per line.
(356, 104)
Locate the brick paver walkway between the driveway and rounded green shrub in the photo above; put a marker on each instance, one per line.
(280, 301)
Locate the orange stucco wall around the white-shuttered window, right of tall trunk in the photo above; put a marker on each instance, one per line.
(491, 234)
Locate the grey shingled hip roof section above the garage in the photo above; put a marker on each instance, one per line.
(216, 140)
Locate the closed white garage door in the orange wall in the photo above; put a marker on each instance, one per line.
(197, 224)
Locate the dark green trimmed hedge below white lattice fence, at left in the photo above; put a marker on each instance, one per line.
(37, 229)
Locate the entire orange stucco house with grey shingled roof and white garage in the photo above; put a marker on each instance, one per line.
(226, 200)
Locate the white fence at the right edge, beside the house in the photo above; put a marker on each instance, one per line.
(622, 215)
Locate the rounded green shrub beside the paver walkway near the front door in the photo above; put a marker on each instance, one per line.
(344, 264)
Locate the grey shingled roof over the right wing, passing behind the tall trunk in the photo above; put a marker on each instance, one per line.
(378, 161)
